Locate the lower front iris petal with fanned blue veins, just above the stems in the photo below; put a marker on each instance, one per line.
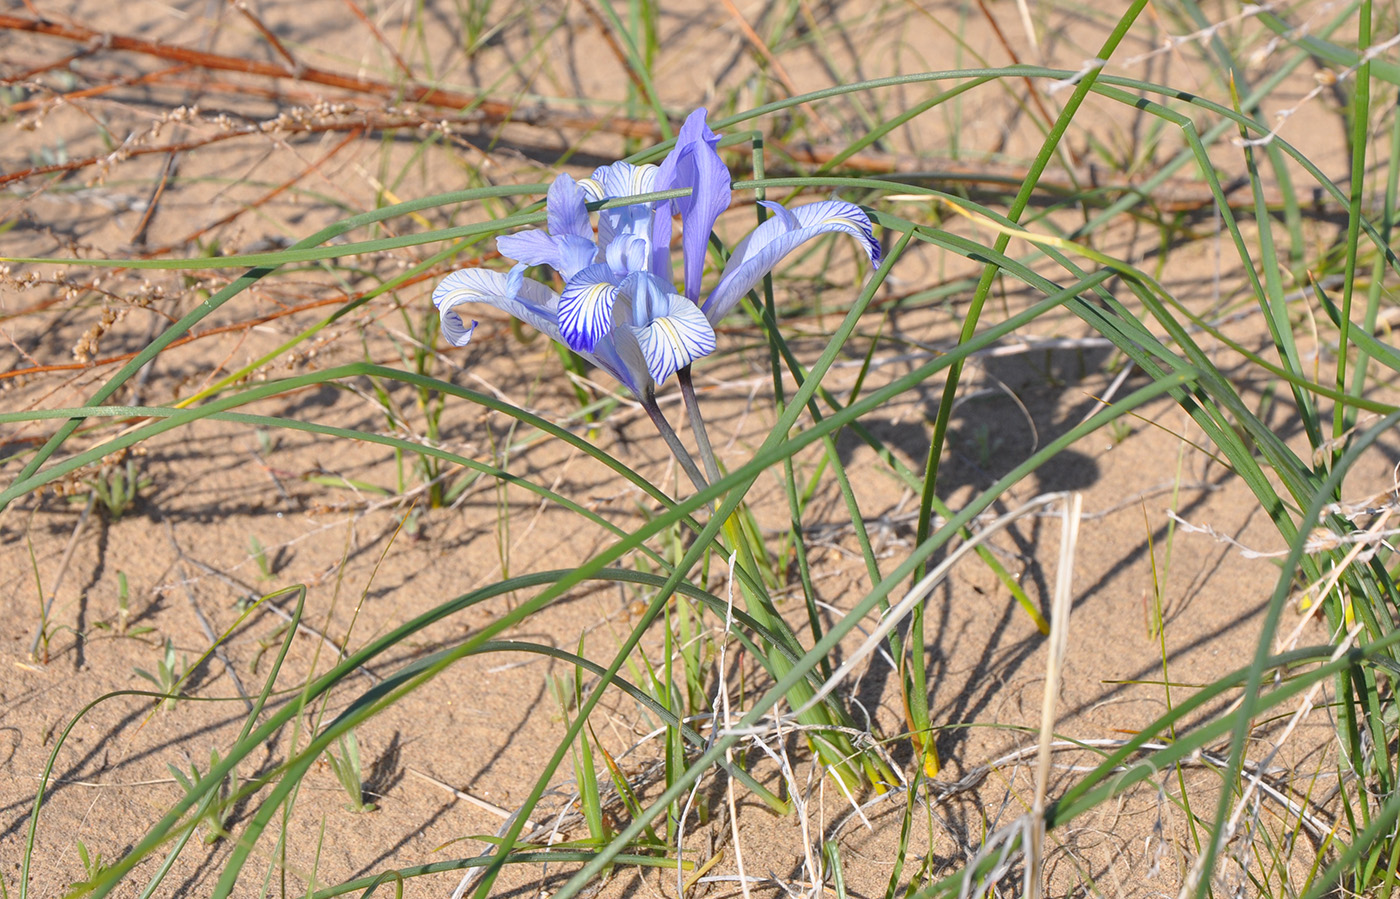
(659, 330)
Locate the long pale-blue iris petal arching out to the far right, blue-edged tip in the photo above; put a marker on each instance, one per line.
(762, 250)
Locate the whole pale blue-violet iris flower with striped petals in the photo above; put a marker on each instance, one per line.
(621, 310)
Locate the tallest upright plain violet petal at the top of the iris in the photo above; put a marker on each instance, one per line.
(695, 165)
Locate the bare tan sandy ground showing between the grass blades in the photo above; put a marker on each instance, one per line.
(369, 564)
